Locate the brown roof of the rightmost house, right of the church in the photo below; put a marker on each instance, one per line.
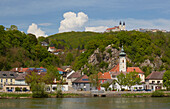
(156, 75)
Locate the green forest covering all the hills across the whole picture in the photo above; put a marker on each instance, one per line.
(18, 49)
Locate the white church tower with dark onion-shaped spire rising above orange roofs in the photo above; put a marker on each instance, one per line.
(122, 60)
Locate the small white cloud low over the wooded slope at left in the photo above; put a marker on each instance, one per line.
(35, 30)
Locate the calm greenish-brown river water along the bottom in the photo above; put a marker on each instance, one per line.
(87, 103)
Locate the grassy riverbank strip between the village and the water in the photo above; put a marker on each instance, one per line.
(85, 94)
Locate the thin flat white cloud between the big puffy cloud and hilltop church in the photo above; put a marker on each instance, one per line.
(96, 29)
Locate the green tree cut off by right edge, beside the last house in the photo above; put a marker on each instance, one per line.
(166, 79)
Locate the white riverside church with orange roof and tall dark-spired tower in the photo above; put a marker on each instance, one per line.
(121, 67)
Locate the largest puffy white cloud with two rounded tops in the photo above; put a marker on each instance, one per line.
(73, 22)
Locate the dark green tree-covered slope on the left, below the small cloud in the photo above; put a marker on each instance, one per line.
(18, 49)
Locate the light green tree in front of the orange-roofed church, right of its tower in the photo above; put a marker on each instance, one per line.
(132, 79)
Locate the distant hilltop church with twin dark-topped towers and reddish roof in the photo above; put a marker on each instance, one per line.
(117, 28)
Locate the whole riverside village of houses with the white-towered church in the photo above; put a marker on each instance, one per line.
(72, 81)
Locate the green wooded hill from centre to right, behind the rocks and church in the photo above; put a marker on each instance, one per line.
(149, 50)
